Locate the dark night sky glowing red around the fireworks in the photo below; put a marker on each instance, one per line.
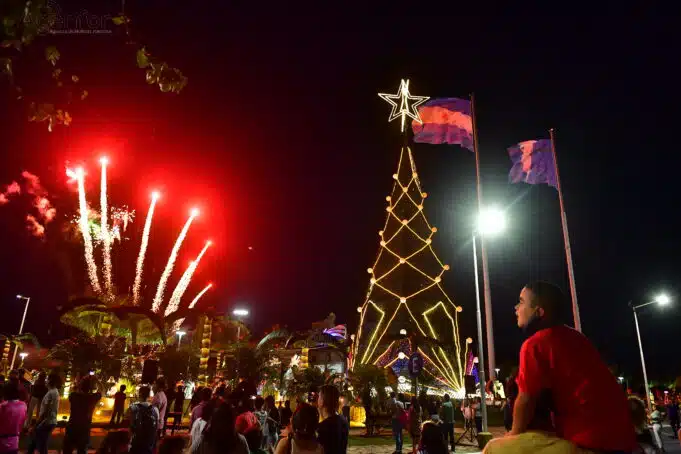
(281, 140)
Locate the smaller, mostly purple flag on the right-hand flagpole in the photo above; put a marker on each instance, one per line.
(533, 163)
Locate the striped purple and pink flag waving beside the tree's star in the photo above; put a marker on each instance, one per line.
(445, 120)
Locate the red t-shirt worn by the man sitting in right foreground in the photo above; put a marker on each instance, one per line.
(589, 408)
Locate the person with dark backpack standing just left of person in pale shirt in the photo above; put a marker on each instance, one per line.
(144, 419)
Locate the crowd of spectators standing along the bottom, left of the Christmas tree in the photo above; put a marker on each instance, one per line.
(221, 420)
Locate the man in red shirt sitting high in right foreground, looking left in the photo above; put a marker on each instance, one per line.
(563, 380)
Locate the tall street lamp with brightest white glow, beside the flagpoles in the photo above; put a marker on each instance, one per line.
(490, 221)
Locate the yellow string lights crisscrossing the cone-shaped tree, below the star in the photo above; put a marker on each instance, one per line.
(445, 367)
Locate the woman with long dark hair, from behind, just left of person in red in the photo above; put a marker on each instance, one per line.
(220, 435)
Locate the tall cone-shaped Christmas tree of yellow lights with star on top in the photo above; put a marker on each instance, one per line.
(406, 308)
